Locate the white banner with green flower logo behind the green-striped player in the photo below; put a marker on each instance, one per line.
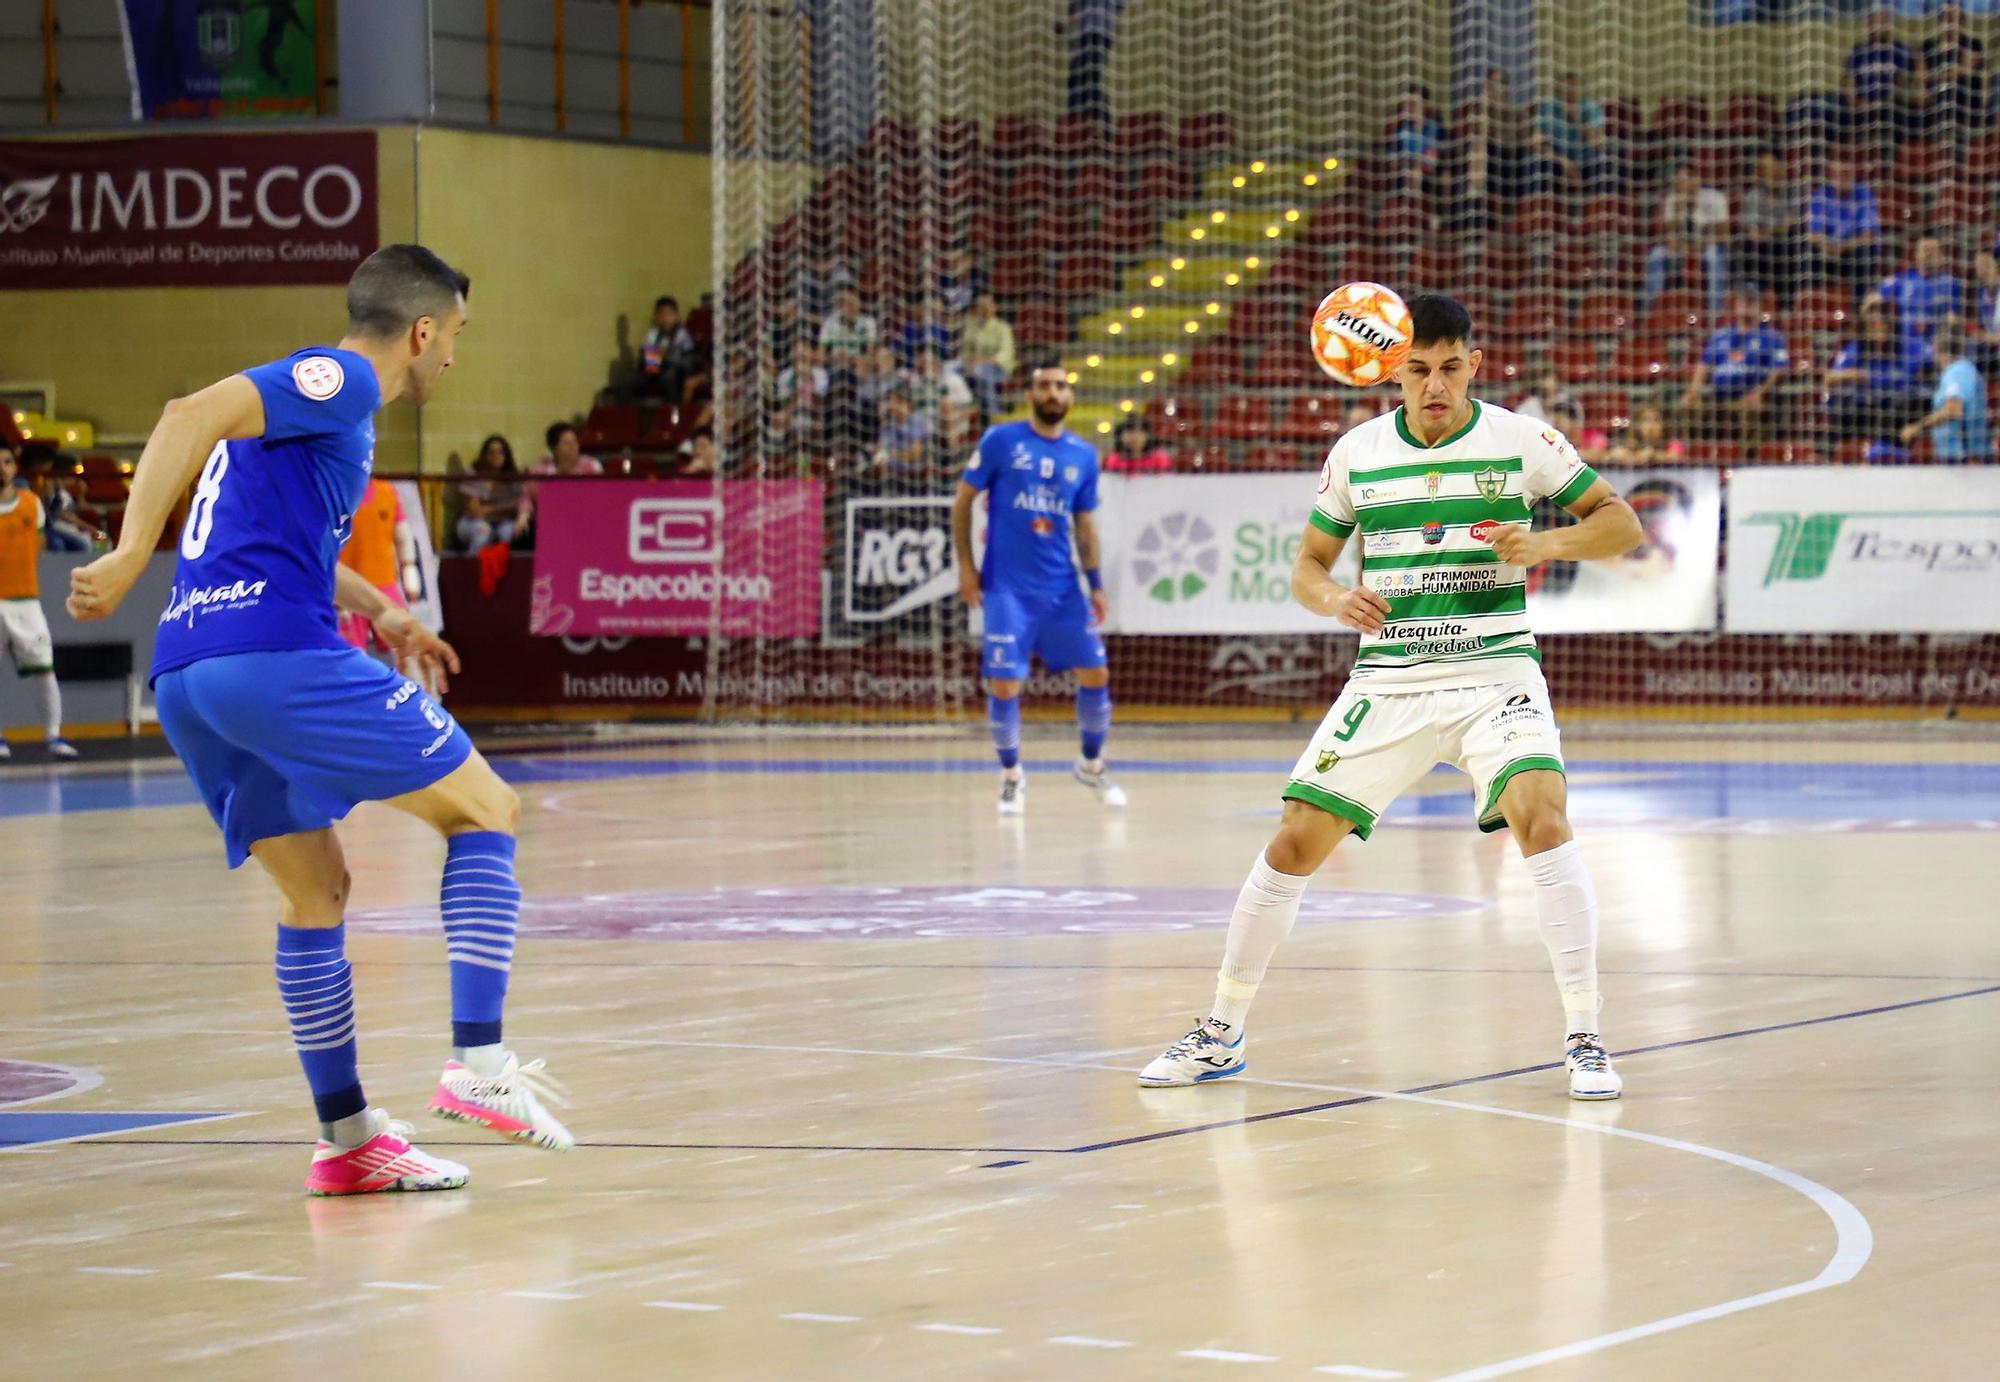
(1213, 555)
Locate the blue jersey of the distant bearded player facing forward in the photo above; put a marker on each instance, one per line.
(1033, 487)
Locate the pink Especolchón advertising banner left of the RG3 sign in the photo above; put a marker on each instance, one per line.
(677, 559)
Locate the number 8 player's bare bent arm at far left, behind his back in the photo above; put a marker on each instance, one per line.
(187, 435)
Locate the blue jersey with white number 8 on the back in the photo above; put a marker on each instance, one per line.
(271, 513)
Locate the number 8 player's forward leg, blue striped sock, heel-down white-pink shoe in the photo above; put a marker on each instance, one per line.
(479, 897)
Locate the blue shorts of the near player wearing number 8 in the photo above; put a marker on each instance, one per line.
(283, 743)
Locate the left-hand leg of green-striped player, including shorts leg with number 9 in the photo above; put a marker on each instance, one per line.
(1367, 753)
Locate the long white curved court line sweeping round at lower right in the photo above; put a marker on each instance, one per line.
(1853, 1237)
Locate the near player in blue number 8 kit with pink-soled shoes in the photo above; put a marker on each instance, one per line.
(285, 727)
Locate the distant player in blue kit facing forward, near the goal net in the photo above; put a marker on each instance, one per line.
(1041, 485)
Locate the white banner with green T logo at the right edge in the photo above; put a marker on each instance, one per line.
(1865, 551)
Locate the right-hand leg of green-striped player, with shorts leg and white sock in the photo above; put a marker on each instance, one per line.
(1513, 751)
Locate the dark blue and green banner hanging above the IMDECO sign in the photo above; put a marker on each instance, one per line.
(195, 59)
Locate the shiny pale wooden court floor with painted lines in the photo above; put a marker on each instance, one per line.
(853, 1071)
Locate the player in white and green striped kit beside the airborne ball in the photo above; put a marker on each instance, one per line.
(1447, 673)
